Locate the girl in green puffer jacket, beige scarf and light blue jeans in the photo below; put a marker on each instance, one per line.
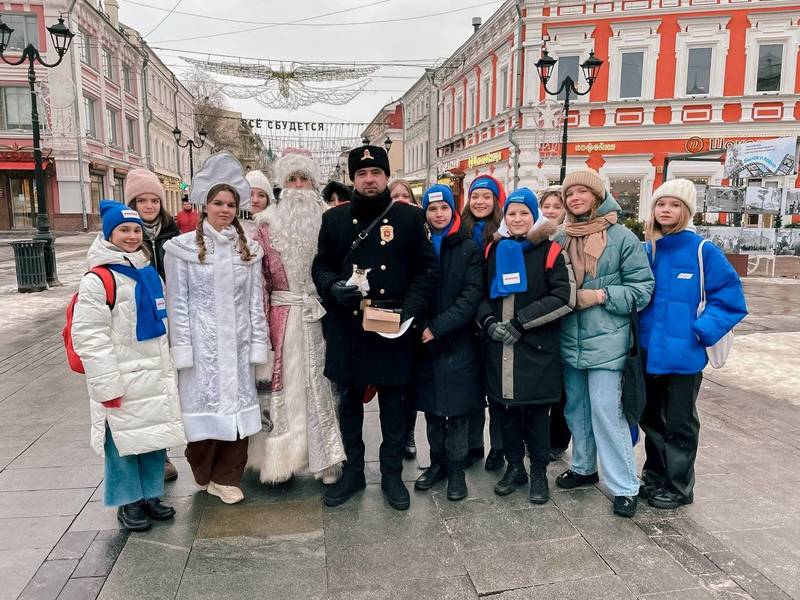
(614, 279)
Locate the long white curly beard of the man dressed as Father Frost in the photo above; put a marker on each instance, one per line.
(294, 225)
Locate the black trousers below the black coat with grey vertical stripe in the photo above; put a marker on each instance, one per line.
(531, 423)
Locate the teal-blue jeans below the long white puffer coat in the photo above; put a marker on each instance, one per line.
(132, 478)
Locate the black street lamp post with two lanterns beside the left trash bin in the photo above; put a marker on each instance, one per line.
(61, 37)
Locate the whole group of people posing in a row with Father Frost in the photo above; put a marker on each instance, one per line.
(245, 339)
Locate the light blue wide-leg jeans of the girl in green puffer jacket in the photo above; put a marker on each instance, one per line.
(594, 415)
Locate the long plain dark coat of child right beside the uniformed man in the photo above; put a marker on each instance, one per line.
(447, 377)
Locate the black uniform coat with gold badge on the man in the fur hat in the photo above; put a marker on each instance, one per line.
(403, 276)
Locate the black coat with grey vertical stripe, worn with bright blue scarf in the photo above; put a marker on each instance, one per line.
(528, 372)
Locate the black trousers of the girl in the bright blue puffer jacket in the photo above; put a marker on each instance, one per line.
(672, 430)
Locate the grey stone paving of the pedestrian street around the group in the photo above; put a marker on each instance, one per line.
(738, 540)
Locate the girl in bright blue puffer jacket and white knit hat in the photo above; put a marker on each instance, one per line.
(675, 339)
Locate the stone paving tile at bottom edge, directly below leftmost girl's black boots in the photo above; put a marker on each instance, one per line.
(145, 570)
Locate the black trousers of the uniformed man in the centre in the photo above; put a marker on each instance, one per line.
(393, 428)
